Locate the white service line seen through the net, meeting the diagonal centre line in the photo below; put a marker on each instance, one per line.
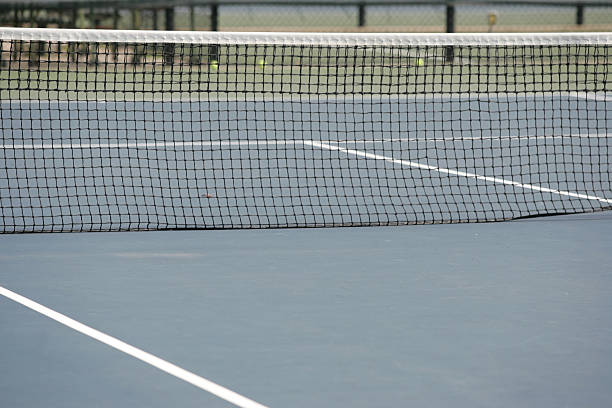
(222, 143)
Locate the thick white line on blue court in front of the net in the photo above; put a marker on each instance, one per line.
(178, 372)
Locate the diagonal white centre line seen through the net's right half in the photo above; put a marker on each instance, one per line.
(455, 172)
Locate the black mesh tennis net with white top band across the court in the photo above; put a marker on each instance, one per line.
(118, 130)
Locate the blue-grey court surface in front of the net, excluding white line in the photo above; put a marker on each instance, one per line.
(494, 314)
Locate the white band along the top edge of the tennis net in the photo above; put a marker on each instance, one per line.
(324, 39)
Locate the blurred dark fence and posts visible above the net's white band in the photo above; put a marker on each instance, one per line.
(320, 15)
